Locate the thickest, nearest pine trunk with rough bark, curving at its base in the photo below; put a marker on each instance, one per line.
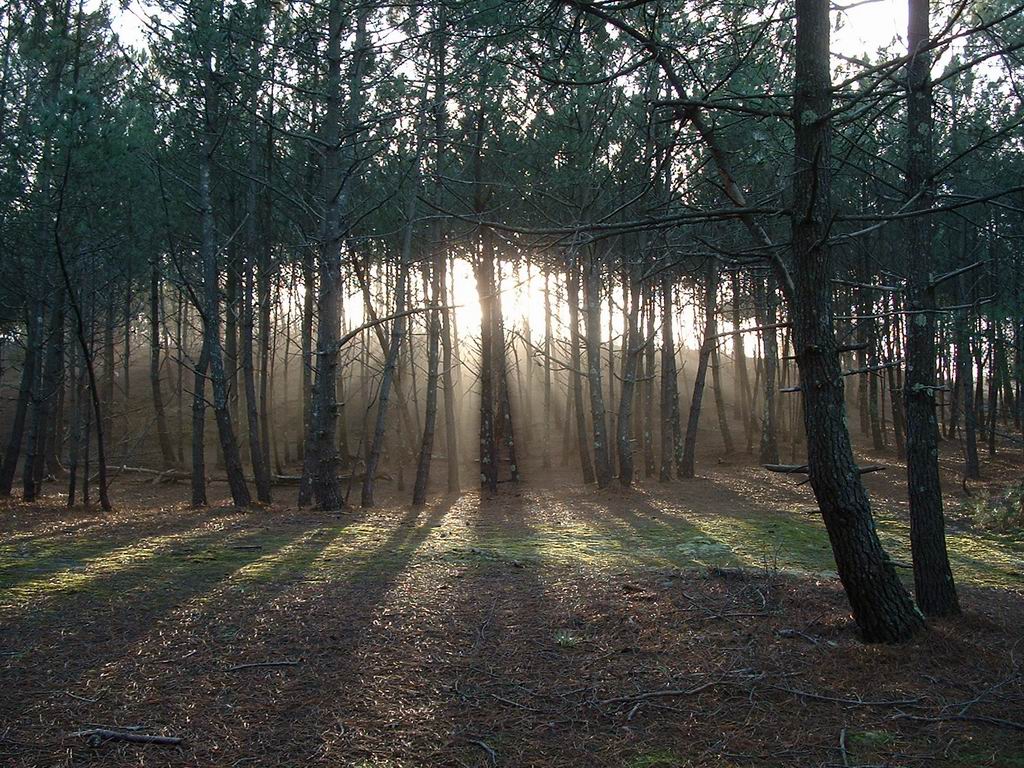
(881, 607)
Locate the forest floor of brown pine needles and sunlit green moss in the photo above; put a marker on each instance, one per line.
(691, 624)
